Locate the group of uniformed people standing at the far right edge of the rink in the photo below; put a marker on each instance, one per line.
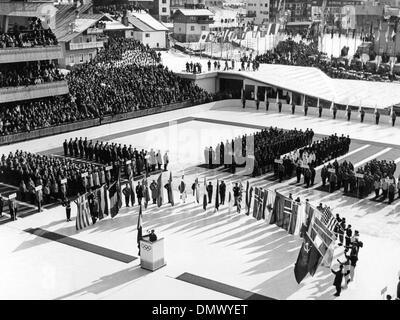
(376, 175)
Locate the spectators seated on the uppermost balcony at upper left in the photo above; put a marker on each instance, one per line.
(32, 36)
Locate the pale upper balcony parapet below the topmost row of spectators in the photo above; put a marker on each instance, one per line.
(17, 54)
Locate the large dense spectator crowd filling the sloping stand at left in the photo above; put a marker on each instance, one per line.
(114, 82)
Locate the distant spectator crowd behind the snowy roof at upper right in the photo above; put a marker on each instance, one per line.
(289, 52)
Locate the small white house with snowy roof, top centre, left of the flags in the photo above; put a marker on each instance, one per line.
(190, 23)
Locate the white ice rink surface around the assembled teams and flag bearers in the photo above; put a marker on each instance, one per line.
(230, 248)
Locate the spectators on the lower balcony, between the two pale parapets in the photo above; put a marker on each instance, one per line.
(28, 73)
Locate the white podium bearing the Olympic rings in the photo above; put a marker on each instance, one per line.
(152, 254)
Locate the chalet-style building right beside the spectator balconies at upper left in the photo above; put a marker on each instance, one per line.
(80, 33)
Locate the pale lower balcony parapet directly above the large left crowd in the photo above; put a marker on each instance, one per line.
(11, 94)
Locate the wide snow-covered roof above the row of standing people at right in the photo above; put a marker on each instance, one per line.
(314, 83)
